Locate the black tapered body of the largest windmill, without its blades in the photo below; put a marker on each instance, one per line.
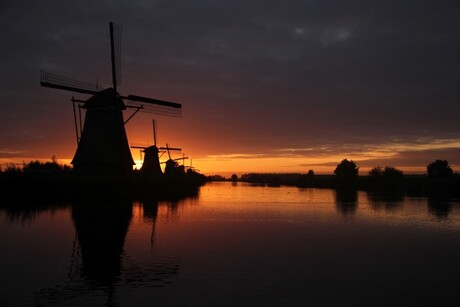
(103, 146)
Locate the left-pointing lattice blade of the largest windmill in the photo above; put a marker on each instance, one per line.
(48, 79)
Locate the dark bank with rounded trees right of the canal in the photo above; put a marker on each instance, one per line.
(438, 181)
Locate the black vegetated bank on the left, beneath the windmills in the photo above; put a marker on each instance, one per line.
(50, 181)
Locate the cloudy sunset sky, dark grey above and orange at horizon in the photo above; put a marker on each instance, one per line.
(266, 86)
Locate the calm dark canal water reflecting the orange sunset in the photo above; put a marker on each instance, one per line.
(234, 245)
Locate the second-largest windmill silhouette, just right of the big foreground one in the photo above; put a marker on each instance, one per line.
(151, 164)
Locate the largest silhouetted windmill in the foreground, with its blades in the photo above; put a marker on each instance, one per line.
(103, 147)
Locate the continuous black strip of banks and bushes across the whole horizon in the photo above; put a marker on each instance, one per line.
(53, 182)
